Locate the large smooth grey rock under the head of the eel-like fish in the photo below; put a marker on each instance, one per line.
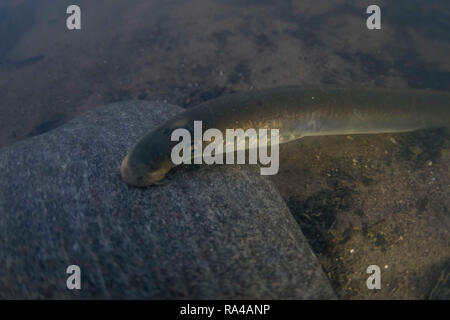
(208, 232)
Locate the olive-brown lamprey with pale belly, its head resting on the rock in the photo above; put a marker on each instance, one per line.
(296, 112)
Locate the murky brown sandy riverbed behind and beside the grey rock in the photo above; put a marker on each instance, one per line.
(188, 51)
